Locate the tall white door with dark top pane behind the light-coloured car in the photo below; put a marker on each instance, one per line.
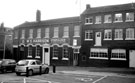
(46, 56)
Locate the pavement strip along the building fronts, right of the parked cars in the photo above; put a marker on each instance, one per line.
(102, 71)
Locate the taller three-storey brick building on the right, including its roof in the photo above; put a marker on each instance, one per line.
(108, 36)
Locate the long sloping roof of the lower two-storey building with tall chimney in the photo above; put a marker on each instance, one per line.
(50, 22)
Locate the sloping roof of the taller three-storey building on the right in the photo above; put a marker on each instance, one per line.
(111, 8)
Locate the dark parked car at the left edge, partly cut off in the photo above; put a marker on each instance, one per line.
(7, 65)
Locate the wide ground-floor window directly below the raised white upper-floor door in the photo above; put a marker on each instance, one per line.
(99, 53)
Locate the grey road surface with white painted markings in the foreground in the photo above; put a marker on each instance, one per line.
(61, 77)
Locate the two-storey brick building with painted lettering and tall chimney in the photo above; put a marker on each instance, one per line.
(55, 41)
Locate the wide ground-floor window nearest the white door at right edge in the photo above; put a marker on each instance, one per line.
(118, 54)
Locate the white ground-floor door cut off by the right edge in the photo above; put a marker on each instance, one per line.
(132, 58)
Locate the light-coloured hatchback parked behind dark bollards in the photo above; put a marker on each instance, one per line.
(33, 67)
